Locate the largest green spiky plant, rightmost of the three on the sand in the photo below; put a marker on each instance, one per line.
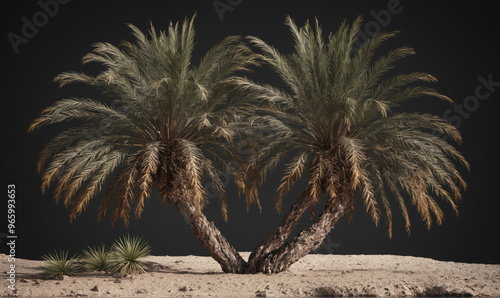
(126, 253)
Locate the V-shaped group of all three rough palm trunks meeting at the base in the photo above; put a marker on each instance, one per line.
(272, 255)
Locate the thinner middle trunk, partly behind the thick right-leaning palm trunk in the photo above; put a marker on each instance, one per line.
(279, 236)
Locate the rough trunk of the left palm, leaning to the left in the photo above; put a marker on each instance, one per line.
(211, 238)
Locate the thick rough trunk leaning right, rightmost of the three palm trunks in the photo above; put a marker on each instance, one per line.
(307, 240)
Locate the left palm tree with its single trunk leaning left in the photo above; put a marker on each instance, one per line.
(172, 129)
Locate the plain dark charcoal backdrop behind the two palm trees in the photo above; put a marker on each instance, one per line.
(456, 41)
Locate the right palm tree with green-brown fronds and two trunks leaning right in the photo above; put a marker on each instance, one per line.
(336, 125)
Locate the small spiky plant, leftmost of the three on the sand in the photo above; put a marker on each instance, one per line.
(57, 264)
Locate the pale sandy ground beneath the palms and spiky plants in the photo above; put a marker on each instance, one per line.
(314, 275)
